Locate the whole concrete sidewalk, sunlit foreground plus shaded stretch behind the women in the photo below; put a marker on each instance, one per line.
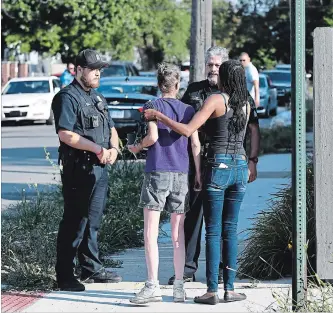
(274, 171)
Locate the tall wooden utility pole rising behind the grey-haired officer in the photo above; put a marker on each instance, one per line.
(201, 37)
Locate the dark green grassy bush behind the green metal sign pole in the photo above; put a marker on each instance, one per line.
(268, 247)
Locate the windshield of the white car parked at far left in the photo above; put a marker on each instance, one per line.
(34, 86)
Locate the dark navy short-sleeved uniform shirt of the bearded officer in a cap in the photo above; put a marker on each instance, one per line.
(82, 112)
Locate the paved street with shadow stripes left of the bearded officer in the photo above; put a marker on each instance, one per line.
(24, 161)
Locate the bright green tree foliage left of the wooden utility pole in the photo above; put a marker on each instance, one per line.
(116, 27)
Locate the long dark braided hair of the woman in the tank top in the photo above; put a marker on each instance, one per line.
(233, 82)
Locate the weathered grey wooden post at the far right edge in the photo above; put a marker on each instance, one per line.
(323, 149)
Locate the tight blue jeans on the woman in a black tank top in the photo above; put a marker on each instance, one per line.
(224, 189)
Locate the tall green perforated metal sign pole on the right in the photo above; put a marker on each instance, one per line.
(299, 275)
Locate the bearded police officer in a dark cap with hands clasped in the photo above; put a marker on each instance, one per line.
(88, 142)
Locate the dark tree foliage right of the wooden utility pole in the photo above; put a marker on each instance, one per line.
(262, 28)
